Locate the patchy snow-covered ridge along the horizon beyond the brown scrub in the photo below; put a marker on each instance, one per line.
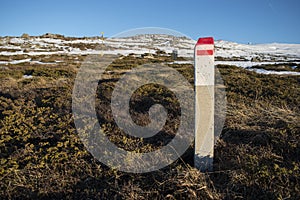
(227, 53)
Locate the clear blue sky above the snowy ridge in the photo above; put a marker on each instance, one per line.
(255, 21)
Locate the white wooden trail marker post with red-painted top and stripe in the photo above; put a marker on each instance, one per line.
(204, 104)
